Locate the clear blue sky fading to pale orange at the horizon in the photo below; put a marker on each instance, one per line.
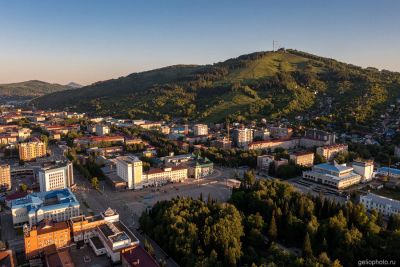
(85, 41)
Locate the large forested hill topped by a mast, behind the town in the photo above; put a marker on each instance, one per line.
(285, 83)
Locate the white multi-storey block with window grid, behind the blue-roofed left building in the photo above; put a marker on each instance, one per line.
(56, 176)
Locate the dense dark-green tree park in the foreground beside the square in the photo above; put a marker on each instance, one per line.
(267, 223)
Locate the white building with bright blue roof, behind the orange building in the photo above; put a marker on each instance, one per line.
(56, 205)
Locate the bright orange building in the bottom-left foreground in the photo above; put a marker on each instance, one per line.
(45, 235)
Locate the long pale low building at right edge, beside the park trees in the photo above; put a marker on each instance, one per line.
(386, 206)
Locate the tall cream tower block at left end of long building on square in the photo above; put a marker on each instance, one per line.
(130, 169)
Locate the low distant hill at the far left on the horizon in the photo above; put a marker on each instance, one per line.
(33, 88)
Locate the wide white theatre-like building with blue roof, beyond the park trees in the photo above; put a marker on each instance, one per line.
(334, 175)
